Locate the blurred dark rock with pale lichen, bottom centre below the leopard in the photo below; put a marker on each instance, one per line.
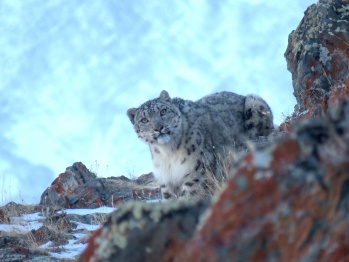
(145, 232)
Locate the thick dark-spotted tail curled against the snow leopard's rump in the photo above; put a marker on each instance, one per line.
(258, 117)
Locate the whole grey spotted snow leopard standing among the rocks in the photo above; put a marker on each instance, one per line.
(187, 139)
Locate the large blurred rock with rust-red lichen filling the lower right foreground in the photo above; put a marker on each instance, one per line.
(287, 203)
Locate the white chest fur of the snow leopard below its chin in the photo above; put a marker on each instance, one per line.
(171, 166)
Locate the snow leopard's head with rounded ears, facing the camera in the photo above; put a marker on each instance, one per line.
(157, 120)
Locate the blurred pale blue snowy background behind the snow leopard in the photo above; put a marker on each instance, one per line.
(69, 70)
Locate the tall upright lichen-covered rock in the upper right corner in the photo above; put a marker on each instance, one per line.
(318, 58)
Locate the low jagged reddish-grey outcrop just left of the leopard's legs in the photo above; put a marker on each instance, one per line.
(77, 187)
